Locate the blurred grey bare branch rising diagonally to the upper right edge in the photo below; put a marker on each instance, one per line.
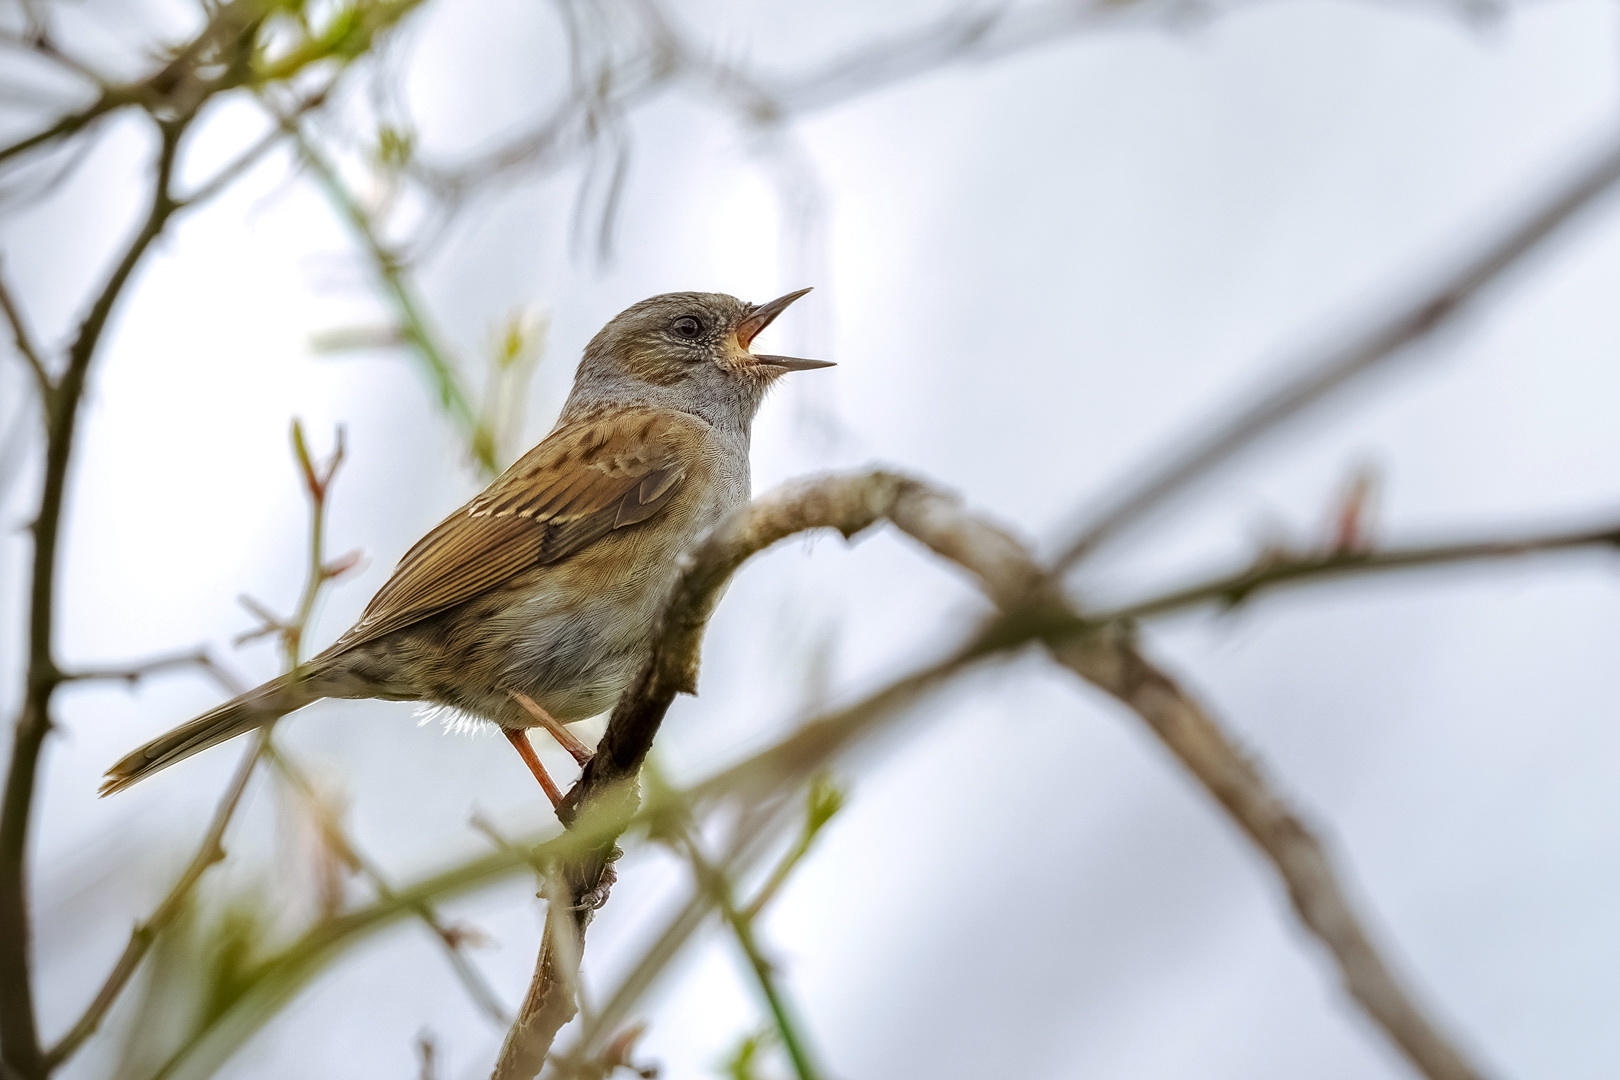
(1319, 375)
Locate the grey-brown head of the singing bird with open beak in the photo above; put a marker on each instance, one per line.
(688, 351)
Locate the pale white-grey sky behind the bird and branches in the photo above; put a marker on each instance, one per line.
(1036, 274)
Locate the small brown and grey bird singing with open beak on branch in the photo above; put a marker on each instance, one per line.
(535, 603)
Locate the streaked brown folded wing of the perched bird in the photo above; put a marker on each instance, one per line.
(574, 488)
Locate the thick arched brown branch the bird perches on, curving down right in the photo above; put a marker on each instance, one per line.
(1031, 608)
